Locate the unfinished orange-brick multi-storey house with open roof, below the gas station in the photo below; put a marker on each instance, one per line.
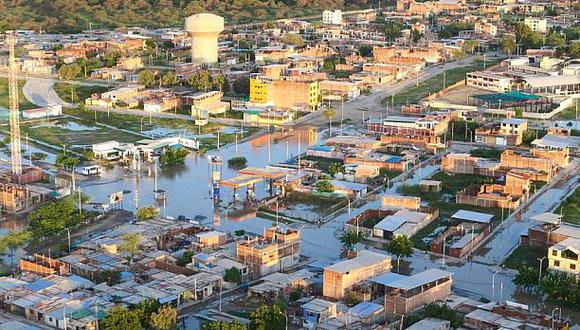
(275, 251)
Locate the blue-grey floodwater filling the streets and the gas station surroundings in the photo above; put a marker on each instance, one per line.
(188, 193)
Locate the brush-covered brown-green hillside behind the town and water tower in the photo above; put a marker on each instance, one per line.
(76, 15)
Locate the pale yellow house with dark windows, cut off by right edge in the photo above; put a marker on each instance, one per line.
(565, 256)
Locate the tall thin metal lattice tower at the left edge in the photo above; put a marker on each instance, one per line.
(14, 111)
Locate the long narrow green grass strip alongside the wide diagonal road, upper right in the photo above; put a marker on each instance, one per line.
(435, 83)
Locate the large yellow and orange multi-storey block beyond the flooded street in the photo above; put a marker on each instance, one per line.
(285, 92)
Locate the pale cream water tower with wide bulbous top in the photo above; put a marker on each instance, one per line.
(204, 29)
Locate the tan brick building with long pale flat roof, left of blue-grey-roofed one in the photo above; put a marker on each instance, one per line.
(338, 278)
